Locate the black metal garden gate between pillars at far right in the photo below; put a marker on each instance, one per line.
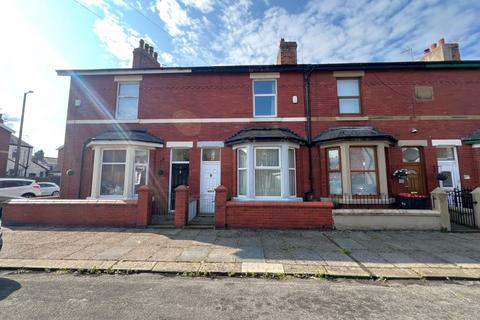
(460, 207)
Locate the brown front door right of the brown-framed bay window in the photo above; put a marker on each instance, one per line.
(413, 161)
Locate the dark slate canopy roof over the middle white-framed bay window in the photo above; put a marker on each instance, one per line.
(264, 134)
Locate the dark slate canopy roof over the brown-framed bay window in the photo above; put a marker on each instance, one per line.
(352, 133)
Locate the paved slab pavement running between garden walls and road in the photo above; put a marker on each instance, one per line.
(373, 254)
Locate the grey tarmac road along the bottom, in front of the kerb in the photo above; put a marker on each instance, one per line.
(154, 296)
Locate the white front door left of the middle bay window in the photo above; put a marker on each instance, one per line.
(209, 180)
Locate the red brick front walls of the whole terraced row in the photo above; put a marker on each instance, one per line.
(220, 104)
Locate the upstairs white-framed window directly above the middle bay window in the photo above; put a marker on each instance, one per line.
(264, 98)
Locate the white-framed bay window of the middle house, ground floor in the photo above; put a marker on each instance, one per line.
(266, 171)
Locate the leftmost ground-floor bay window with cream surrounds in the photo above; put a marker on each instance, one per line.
(119, 171)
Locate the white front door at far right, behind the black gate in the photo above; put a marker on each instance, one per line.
(447, 163)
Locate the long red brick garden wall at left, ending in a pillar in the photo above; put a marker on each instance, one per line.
(79, 212)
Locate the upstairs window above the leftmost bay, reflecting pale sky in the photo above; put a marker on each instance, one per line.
(127, 100)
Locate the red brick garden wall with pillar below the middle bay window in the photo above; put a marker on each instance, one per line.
(271, 214)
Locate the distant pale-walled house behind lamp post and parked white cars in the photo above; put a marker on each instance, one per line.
(27, 167)
